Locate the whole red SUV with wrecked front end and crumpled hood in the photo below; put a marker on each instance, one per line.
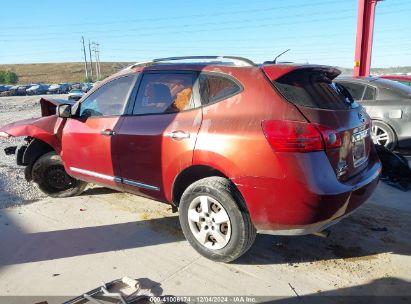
(237, 148)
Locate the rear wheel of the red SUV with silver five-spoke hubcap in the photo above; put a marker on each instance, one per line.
(214, 220)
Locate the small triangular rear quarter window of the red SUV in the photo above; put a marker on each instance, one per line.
(215, 87)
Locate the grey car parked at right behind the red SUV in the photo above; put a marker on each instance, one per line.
(389, 105)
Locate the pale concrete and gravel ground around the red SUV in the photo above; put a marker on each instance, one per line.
(52, 248)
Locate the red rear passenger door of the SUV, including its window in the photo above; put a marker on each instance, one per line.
(156, 140)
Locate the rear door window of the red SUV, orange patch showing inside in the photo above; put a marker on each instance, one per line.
(164, 93)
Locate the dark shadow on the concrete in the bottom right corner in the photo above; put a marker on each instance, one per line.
(384, 290)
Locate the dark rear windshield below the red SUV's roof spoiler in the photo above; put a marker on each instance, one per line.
(313, 89)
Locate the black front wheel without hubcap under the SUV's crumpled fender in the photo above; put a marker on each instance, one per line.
(49, 174)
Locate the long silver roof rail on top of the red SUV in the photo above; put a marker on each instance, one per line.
(239, 61)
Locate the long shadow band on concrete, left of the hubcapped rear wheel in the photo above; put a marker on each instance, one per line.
(20, 247)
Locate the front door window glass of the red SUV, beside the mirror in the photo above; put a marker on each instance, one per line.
(109, 100)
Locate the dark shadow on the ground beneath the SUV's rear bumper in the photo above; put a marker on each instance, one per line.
(370, 231)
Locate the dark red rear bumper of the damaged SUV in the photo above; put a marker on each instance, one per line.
(309, 200)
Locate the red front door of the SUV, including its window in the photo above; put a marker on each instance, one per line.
(87, 140)
